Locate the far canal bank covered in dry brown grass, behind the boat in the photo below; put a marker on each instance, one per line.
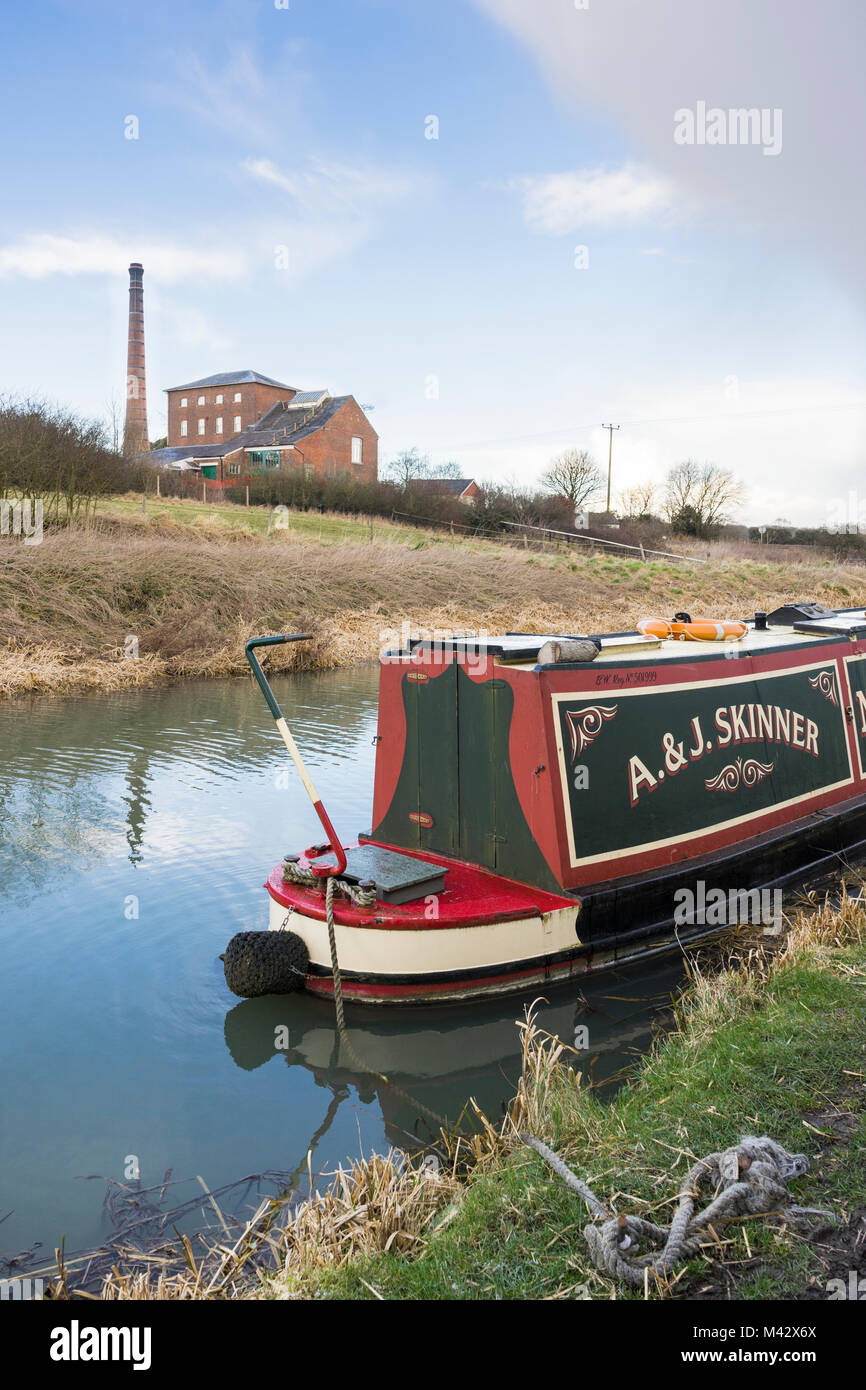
(193, 583)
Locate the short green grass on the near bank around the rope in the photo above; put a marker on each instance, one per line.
(754, 1056)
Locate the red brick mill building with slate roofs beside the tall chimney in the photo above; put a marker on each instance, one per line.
(238, 426)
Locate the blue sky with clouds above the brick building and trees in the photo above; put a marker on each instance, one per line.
(497, 223)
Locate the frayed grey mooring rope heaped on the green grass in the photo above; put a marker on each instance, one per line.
(750, 1179)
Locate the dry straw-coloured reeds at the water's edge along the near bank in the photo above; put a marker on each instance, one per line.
(377, 1204)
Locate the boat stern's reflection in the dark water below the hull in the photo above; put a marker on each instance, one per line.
(443, 1056)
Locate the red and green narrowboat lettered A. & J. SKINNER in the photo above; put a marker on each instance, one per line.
(547, 806)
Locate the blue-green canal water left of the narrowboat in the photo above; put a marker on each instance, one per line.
(136, 836)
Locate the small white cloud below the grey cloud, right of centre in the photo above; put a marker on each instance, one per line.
(561, 204)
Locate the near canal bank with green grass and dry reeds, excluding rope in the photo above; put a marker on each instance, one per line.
(774, 1043)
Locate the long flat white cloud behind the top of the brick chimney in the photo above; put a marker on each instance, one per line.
(41, 255)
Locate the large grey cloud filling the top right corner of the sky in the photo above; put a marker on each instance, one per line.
(640, 63)
